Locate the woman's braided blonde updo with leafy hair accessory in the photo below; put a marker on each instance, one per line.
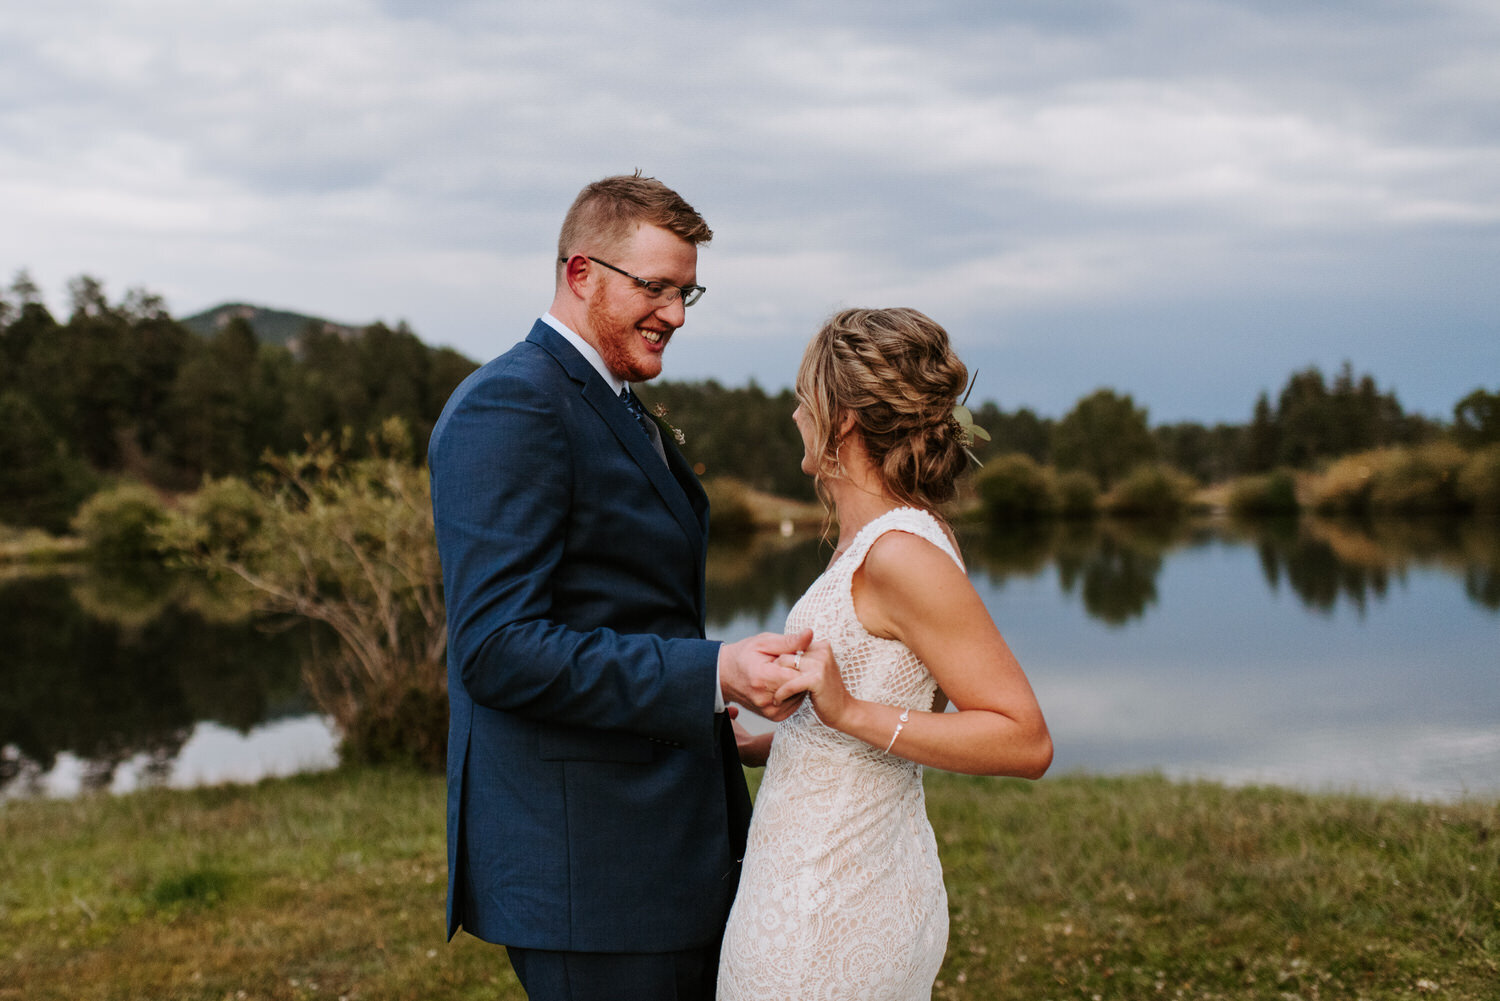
(895, 371)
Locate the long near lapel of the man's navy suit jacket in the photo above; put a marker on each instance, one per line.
(674, 481)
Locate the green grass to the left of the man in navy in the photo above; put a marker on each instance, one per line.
(314, 888)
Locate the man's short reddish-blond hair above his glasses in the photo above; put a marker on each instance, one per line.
(608, 211)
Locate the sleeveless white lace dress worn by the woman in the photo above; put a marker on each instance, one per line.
(842, 891)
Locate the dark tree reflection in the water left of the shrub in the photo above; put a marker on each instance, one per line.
(109, 669)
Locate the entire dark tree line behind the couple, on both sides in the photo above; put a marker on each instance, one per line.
(122, 389)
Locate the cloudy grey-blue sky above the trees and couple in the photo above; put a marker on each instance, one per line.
(1183, 200)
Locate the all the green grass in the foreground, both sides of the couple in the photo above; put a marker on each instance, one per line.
(332, 886)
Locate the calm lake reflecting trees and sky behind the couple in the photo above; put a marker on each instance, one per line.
(1312, 655)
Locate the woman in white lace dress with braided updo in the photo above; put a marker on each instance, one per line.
(842, 891)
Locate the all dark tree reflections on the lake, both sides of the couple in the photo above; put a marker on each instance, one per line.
(115, 669)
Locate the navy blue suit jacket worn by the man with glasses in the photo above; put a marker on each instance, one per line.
(596, 802)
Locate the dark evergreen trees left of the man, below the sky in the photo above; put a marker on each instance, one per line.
(122, 389)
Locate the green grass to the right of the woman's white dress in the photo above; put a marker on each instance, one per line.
(1148, 889)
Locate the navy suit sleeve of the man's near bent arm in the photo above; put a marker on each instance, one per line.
(506, 479)
